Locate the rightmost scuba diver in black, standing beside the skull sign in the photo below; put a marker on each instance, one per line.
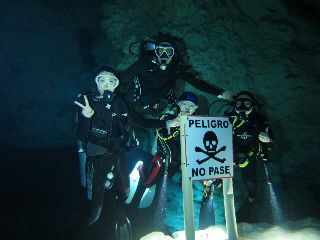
(252, 138)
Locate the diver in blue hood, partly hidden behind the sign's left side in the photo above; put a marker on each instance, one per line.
(169, 139)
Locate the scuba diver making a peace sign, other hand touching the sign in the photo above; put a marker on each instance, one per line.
(105, 131)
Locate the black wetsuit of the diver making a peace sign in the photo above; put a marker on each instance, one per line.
(105, 136)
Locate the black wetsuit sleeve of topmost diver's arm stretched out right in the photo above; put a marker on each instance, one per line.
(200, 84)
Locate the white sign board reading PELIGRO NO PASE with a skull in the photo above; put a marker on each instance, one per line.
(209, 150)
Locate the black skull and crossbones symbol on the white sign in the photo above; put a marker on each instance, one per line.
(210, 142)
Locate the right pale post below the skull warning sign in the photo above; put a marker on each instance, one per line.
(229, 210)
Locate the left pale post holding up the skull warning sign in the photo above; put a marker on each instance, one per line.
(187, 191)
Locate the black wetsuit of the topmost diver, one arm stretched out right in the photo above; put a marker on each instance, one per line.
(148, 84)
